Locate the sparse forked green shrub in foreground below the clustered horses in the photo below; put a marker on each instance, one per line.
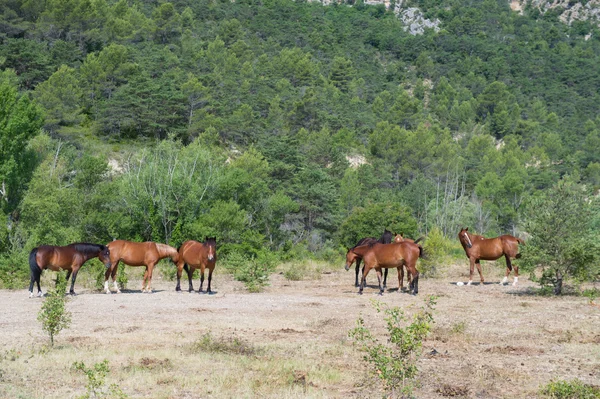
(395, 360)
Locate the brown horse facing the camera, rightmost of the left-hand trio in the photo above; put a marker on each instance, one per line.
(197, 255)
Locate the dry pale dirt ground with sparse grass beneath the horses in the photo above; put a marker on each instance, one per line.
(488, 341)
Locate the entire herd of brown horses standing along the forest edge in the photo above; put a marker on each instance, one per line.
(389, 251)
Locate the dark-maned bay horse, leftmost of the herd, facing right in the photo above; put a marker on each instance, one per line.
(70, 258)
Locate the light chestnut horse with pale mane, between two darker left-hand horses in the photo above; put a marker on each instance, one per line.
(137, 254)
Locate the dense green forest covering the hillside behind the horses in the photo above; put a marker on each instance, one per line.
(288, 129)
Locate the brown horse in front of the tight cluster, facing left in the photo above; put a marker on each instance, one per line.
(377, 256)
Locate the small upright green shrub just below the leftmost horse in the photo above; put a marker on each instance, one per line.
(53, 314)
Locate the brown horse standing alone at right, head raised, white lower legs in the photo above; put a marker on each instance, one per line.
(480, 248)
